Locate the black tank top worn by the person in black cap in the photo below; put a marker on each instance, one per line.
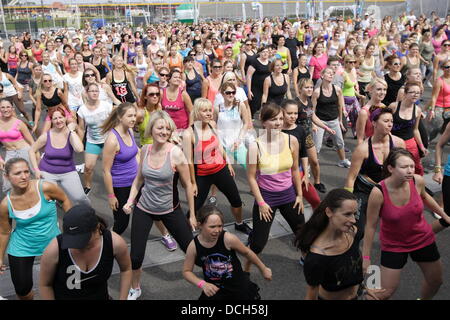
(91, 285)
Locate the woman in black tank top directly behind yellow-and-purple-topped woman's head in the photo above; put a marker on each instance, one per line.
(273, 91)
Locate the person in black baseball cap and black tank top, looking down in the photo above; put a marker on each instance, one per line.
(78, 263)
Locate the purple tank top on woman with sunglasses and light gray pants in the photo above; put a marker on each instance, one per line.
(57, 160)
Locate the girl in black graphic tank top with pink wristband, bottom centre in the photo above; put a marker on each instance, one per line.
(215, 251)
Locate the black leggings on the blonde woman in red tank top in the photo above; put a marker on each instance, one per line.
(224, 182)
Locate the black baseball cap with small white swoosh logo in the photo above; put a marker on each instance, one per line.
(78, 224)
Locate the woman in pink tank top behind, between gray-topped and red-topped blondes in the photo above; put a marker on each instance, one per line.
(176, 102)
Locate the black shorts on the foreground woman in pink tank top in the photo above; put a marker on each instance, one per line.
(397, 260)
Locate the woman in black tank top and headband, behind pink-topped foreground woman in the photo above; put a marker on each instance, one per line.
(366, 169)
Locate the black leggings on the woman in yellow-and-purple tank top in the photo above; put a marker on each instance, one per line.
(261, 229)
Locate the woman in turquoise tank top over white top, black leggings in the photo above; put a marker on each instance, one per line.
(32, 204)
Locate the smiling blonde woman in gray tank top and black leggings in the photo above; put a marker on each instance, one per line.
(160, 165)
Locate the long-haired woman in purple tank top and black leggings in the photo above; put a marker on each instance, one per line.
(120, 161)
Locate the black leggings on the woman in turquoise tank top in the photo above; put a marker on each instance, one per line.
(21, 269)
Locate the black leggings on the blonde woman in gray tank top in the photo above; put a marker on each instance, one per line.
(141, 225)
